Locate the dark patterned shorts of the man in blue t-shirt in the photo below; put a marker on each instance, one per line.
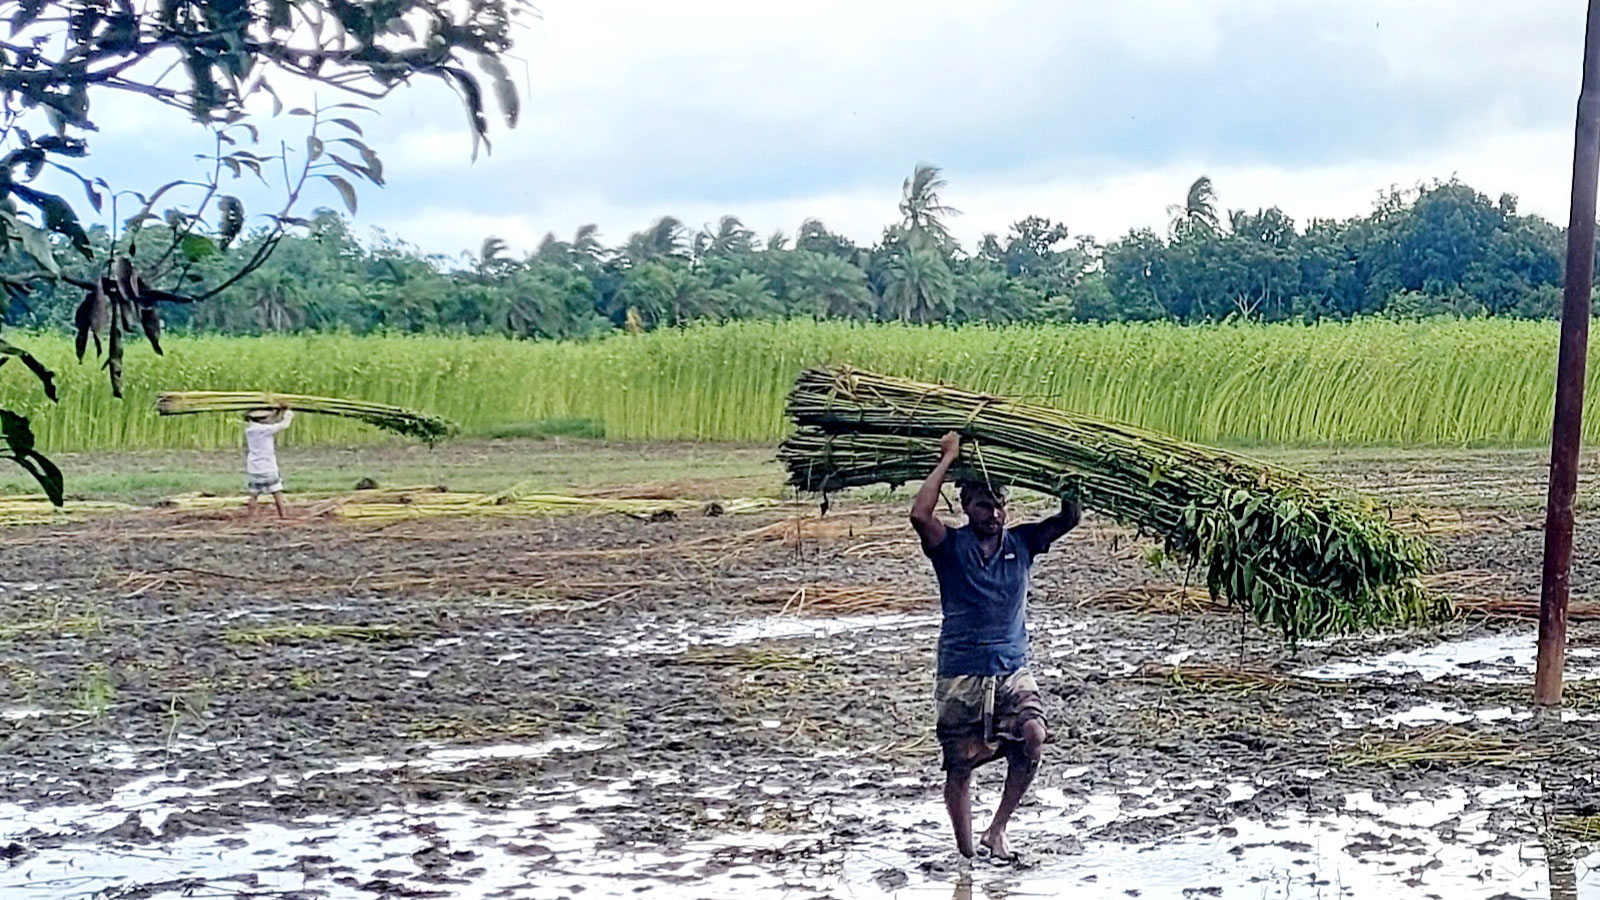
(978, 718)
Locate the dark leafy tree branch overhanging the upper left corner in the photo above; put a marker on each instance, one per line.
(209, 58)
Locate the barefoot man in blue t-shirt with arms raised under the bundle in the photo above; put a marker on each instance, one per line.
(986, 701)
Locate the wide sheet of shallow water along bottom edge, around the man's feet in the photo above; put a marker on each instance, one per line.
(550, 845)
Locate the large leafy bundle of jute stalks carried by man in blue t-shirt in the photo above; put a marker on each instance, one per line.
(1295, 555)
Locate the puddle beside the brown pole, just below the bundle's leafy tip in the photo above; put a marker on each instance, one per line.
(1495, 659)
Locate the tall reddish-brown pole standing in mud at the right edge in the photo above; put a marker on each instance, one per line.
(1570, 377)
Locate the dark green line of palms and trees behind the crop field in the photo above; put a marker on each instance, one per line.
(1438, 249)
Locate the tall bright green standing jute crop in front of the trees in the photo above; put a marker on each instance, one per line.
(1439, 382)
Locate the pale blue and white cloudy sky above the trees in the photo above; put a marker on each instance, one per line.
(1095, 113)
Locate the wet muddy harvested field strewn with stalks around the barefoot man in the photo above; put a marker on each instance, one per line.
(193, 705)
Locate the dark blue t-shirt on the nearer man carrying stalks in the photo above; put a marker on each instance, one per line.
(985, 601)
